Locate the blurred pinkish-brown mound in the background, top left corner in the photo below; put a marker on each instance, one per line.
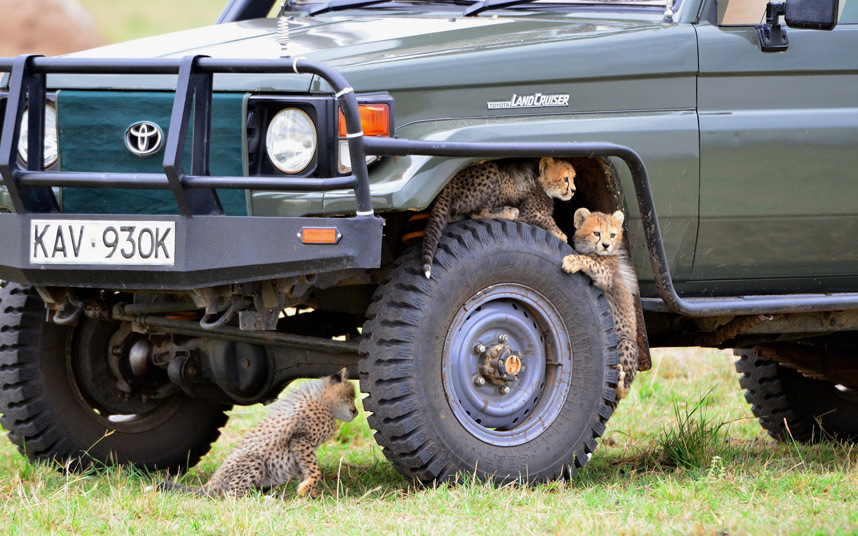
(48, 27)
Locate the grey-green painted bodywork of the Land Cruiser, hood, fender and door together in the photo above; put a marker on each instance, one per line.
(750, 155)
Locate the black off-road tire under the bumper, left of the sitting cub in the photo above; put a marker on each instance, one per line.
(47, 416)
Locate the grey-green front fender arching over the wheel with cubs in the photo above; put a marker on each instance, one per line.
(411, 182)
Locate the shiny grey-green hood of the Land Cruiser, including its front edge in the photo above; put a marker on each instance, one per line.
(353, 44)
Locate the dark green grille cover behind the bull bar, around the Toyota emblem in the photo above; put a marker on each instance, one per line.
(92, 127)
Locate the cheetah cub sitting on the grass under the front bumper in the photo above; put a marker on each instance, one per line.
(283, 445)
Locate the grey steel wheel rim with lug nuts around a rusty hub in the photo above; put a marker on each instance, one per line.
(534, 327)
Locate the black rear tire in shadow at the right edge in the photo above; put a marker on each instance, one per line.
(790, 405)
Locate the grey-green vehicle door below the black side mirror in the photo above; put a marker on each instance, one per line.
(778, 155)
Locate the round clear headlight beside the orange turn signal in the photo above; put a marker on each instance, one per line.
(291, 140)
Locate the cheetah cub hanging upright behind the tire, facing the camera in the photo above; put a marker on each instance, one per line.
(599, 241)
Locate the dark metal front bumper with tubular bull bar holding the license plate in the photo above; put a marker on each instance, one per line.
(211, 248)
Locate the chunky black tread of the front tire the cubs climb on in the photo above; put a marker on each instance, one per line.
(399, 428)
